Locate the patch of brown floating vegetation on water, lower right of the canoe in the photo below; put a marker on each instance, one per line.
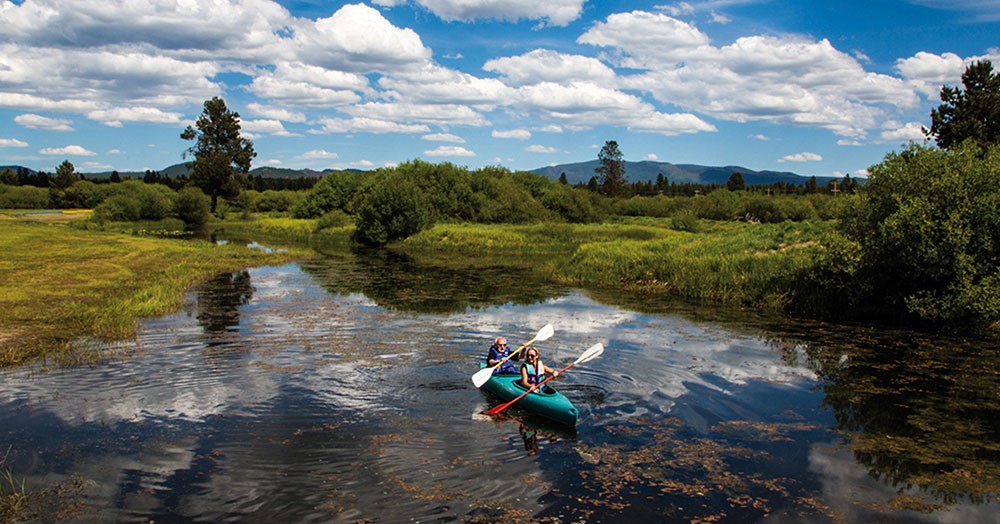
(683, 476)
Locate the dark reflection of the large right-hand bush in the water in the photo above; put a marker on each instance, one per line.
(919, 413)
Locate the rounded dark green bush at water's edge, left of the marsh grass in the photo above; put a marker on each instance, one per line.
(393, 208)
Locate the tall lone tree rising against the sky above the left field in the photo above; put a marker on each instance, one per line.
(221, 156)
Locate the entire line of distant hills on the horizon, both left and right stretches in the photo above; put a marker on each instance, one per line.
(577, 173)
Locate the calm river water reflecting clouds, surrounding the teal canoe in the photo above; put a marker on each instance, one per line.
(338, 389)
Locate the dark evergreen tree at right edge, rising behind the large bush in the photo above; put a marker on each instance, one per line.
(973, 113)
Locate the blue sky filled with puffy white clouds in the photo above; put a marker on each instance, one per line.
(818, 88)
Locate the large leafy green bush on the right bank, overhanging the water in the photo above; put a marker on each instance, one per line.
(928, 227)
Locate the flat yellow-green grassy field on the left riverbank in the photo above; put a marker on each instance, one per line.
(59, 284)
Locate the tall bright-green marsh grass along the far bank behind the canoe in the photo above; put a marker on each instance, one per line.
(732, 262)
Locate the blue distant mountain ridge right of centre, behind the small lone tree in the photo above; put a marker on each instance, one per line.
(581, 172)
